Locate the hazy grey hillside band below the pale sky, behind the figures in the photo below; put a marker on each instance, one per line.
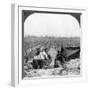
(32, 41)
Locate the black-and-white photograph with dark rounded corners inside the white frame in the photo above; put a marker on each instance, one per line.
(51, 44)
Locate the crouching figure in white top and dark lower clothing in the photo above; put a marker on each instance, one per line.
(41, 58)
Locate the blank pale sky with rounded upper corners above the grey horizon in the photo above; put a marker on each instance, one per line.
(57, 25)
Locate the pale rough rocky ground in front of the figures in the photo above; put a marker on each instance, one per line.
(71, 68)
